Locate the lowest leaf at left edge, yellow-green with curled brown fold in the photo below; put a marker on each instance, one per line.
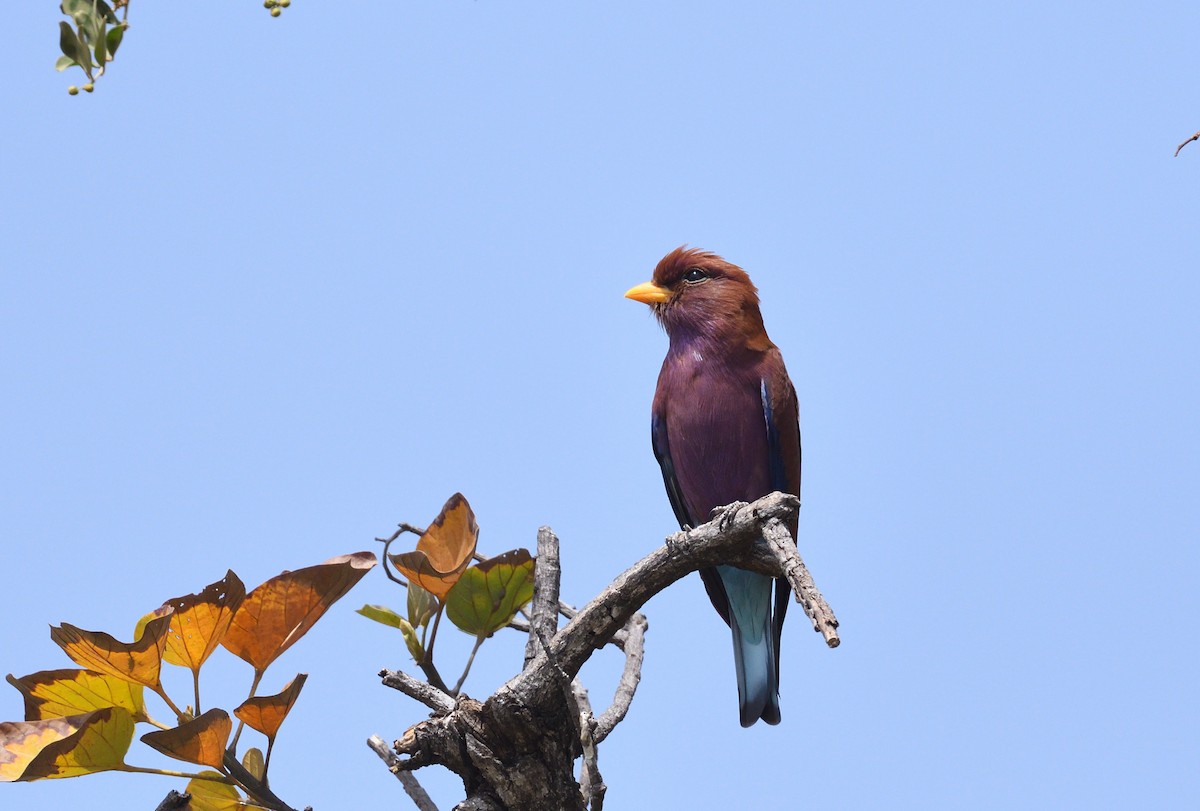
(65, 748)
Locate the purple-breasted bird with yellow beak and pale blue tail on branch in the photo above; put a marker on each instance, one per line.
(725, 428)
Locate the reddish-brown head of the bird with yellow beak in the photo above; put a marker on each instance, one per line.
(697, 295)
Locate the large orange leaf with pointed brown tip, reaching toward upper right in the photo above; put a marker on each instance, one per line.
(283, 610)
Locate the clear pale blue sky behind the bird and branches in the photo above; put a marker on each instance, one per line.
(281, 284)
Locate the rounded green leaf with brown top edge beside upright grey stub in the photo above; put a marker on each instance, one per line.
(489, 596)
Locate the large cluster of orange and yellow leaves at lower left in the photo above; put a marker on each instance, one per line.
(82, 720)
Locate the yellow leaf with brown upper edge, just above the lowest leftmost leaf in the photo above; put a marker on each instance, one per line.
(56, 694)
